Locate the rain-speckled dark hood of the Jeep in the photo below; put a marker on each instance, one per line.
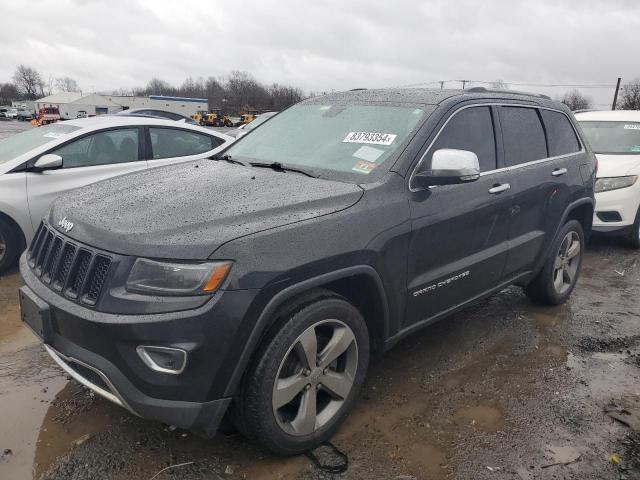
(187, 211)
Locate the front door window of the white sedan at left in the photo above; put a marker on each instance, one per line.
(103, 148)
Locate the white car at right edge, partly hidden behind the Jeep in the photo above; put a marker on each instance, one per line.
(615, 138)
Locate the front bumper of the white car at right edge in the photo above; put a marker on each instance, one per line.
(623, 202)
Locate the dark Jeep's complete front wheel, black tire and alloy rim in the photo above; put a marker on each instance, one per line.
(306, 376)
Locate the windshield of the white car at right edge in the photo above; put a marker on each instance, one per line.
(613, 137)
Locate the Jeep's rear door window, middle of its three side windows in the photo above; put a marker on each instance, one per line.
(523, 136)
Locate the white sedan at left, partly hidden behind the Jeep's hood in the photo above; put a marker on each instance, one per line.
(41, 163)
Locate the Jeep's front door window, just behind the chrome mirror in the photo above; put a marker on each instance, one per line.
(471, 129)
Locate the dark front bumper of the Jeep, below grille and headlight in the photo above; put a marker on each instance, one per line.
(99, 350)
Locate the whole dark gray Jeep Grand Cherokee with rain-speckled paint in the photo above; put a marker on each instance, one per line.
(260, 282)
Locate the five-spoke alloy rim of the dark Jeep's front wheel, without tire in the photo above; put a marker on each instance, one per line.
(315, 377)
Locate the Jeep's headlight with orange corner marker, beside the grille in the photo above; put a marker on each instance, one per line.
(166, 278)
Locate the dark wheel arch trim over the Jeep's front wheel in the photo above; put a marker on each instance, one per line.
(361, 285)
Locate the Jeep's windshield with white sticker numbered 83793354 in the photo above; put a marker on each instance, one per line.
(352, 140)
